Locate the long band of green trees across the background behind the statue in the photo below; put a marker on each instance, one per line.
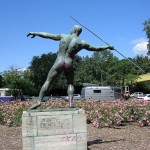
(102, 68)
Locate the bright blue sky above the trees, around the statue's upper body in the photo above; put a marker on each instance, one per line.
(118, 22)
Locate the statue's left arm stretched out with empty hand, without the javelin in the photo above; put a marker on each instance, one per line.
(44, 35)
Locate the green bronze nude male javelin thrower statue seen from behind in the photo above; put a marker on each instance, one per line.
(70, 45)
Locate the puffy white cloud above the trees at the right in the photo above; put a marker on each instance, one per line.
(140, 46)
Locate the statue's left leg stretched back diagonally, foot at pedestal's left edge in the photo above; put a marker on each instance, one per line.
(51, 75)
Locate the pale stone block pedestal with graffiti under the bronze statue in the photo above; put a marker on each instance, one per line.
(54, 129)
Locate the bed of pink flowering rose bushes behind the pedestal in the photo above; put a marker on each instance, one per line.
(99, 113)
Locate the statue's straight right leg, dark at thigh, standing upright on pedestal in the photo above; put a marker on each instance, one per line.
(70, 76)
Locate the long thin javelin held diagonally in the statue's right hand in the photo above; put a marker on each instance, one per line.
(105, 42)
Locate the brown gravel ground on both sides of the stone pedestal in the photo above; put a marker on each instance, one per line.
(130, 137)
